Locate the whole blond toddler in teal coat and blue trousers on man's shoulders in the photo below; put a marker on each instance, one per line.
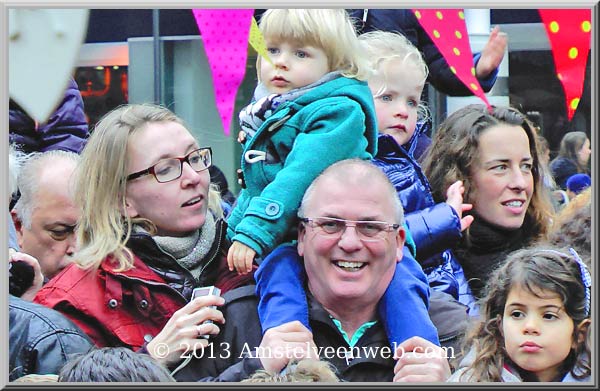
(312, 108)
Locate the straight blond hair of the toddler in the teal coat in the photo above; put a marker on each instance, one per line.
(331, 30)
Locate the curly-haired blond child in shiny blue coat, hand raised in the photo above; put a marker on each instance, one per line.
(398, 79)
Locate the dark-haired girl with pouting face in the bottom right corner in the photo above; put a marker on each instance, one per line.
(535, 321)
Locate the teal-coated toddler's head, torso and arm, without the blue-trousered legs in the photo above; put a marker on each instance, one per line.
(311, 108)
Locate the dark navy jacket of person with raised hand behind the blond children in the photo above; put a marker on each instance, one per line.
(404, 21)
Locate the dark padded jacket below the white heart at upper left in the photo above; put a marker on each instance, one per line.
(66, 129)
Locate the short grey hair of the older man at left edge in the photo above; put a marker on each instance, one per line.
(28, 179)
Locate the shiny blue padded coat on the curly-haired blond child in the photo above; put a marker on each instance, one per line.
(434, 228)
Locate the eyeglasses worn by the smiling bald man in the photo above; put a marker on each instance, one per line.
(368, 231)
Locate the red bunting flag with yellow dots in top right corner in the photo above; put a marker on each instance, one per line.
(568, 31)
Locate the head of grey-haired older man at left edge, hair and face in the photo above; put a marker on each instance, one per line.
(45, 215)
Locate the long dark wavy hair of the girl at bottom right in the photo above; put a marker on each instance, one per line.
(536, 269)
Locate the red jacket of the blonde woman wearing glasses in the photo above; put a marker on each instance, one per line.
(126, 308)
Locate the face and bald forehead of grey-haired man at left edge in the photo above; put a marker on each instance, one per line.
(51, 238)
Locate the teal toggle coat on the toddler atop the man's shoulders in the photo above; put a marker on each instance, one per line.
(332, 122)
